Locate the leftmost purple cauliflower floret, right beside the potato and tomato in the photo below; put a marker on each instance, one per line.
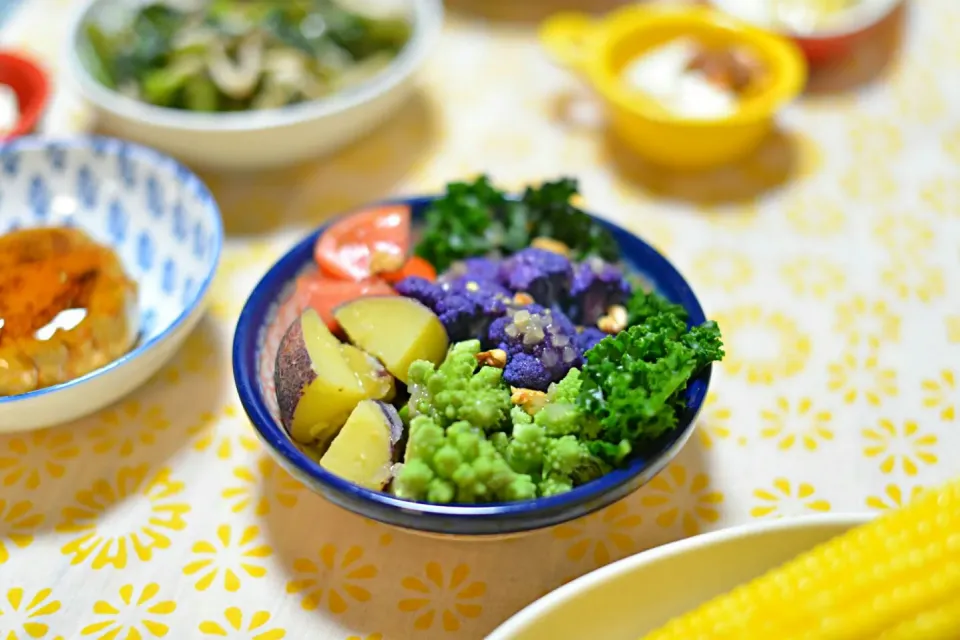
(465, 307)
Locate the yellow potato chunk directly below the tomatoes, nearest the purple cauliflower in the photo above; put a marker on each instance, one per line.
(396, 330)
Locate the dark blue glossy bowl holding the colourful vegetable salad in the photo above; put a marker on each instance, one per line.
(270, 310)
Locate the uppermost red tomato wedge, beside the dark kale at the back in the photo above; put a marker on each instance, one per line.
(365, 243)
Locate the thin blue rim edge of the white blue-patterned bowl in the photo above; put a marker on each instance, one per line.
(149, 156)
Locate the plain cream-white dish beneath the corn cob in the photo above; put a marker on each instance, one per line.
(632, 597)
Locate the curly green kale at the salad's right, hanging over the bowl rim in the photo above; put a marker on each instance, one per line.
(633, 382)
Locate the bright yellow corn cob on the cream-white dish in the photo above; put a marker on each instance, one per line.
(895, 578)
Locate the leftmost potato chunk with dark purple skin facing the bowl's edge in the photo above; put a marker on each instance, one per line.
(316, 386)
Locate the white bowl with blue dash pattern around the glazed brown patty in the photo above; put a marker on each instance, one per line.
(158, 217)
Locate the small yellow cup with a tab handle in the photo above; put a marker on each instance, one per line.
(600, 49)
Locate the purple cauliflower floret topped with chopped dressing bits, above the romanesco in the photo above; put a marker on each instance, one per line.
(540, 345)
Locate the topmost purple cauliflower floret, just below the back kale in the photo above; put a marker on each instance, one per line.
(545, 275)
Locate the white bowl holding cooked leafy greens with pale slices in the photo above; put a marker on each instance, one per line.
(260, 139)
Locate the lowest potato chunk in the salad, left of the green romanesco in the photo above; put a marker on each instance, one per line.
(363, 451)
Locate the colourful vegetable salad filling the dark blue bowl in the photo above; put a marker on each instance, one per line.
(530, 365)
